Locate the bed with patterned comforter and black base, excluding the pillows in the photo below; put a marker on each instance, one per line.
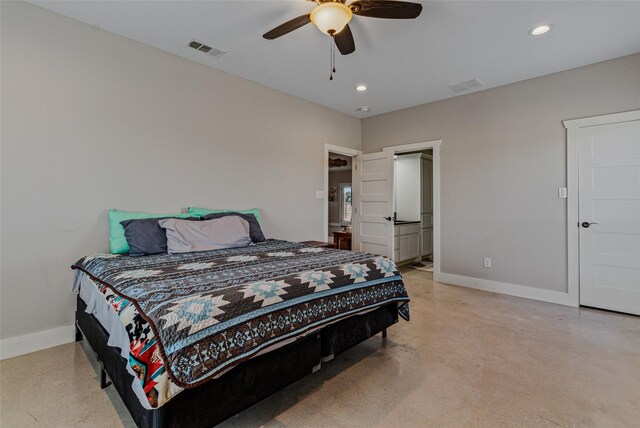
(191, 339)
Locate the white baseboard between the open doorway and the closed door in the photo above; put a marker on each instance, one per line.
(525, 291)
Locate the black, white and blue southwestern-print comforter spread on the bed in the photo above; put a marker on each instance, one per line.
(196, 315)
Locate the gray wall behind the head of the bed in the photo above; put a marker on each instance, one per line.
(92, 120)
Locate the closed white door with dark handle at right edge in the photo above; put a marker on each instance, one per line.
(609, 212)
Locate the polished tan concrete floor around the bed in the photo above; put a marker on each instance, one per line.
(466, 359)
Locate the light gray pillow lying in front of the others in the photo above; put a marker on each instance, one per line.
(185, 236)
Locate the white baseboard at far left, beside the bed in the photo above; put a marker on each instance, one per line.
(20, 345)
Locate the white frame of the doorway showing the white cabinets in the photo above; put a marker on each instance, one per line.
(435, 146)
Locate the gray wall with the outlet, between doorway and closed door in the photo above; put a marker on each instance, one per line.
(503, 156)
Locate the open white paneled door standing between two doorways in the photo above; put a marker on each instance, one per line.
(373, 198)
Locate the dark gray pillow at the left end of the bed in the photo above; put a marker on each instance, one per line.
(145, 236)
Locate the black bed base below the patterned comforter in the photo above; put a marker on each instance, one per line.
(217, 400)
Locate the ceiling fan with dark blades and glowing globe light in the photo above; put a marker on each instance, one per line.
(332, 17)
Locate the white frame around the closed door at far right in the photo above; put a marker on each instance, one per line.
(573, 214)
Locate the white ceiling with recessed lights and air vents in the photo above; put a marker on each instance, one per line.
(404, 63)
